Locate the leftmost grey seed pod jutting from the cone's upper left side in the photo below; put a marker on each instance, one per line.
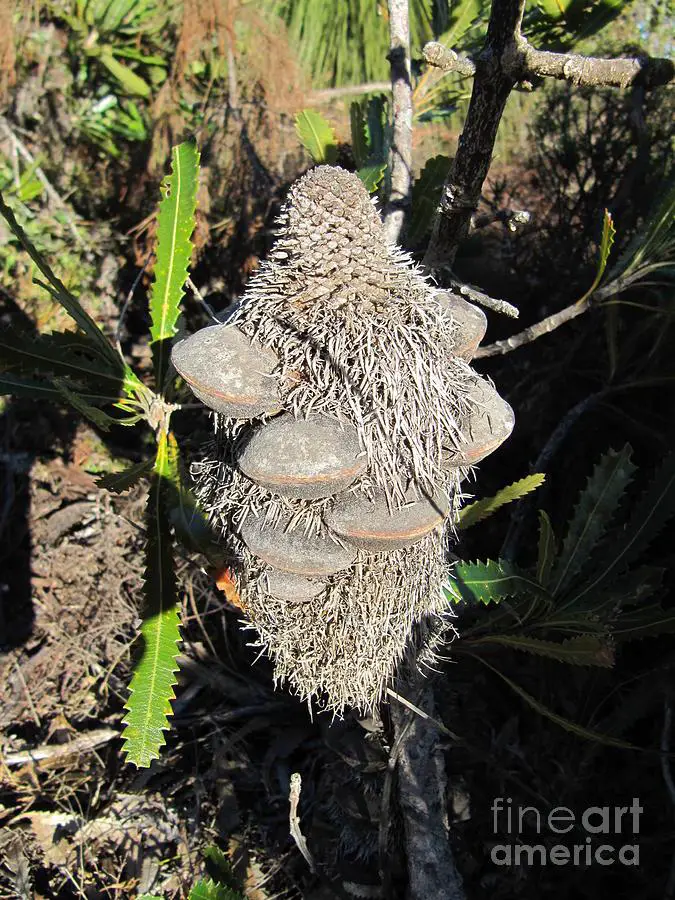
(228, 372)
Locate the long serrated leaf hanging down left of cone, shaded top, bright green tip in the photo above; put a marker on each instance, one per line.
(152, 685)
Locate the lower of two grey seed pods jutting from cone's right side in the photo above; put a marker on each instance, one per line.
(486, 428)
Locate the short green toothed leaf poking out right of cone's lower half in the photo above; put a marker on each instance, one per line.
(491, 581)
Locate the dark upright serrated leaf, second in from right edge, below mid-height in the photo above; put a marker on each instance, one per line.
(593, 514)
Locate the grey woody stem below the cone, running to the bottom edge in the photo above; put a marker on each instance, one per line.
(432, 874)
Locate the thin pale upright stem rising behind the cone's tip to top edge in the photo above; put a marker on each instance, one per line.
(400, 195)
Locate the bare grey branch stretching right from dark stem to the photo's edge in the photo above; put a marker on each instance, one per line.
(528, 63)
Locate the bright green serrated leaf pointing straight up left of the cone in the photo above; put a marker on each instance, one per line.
(175, 224)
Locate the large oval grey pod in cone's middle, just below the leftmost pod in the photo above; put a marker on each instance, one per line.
(303, 458)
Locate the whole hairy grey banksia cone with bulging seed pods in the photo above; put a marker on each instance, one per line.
(335, 510)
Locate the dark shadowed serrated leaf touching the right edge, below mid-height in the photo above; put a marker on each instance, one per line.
(649, 515)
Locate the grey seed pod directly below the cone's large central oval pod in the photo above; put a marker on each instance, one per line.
(313, 555)
